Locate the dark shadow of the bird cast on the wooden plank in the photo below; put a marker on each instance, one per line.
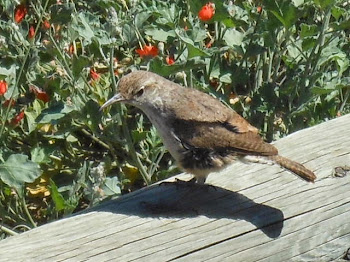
(175, 200)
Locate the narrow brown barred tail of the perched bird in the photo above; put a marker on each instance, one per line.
(295, 167)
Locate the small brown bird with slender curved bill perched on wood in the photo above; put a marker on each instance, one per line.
(201, 133)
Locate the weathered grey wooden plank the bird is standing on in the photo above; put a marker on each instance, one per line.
(255, 213)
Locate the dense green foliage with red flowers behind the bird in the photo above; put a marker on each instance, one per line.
(283, 65)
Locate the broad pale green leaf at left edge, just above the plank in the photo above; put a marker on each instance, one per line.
(17, 170)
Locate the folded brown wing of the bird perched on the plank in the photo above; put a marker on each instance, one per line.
(209, 124)
